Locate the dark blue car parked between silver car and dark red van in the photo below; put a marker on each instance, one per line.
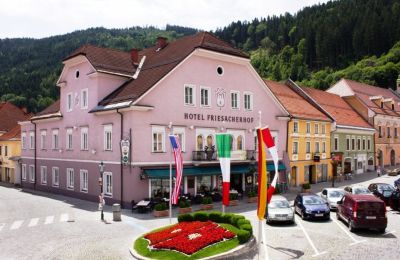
(310, 205)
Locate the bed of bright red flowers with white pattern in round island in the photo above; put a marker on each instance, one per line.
(189, 237)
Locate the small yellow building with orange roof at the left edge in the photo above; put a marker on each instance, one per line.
(10, 151)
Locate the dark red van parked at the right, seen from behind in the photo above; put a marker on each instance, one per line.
(362, 211)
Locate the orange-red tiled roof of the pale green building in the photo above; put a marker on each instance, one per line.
(337, 107)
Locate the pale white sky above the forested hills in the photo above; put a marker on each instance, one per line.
(43, 18)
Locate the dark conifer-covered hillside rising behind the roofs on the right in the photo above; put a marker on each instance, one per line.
(329, 36)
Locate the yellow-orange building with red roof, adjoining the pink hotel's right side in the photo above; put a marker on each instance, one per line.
(308, 143)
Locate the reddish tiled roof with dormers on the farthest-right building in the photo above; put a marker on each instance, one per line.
(364, 92)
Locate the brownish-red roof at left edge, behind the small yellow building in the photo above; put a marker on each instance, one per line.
(10, 115)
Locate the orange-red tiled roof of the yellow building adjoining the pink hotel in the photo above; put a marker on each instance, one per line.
(296, 105)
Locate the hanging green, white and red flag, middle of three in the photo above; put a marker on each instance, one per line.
(224, 143)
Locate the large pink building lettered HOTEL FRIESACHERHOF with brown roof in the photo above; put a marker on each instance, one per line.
(194, 87)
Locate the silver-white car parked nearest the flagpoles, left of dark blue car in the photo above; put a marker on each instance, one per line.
(279, 210)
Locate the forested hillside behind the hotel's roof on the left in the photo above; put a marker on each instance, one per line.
(29, 68)
